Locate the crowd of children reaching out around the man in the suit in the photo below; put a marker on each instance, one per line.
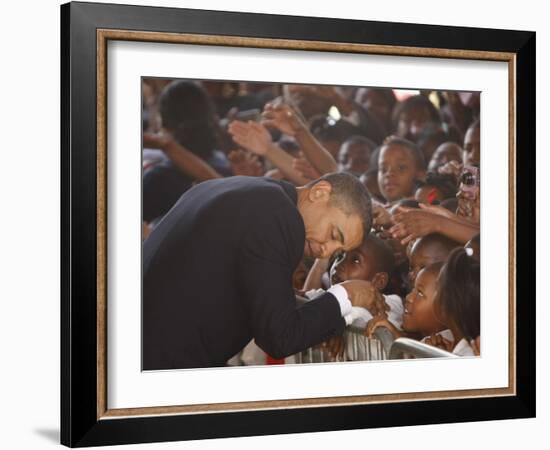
(417, 152)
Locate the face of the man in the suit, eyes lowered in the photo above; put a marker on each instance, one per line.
(328, 228)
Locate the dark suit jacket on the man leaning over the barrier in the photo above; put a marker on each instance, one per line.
(217, 272)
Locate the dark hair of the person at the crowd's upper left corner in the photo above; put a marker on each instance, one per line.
(188, 113)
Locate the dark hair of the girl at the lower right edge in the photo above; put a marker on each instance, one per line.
(458, 293)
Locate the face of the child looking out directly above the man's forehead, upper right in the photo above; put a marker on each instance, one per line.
(397, 173)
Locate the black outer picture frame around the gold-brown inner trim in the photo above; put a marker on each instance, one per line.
(81, 425)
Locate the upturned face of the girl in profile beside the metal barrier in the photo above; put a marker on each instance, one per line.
(419, 313)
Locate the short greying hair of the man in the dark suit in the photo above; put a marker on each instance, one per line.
(349, 195)
